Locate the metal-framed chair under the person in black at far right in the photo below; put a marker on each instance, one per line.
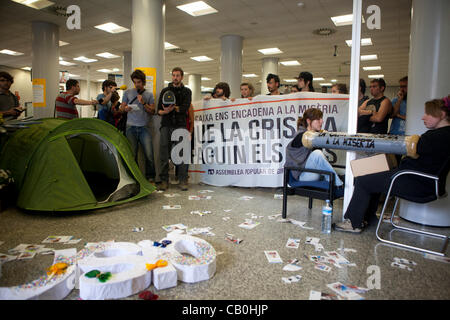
(440, 192)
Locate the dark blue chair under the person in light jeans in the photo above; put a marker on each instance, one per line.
(321, 189)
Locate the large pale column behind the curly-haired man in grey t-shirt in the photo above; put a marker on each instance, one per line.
(147, 37)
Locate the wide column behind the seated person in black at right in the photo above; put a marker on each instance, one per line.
(428, 78)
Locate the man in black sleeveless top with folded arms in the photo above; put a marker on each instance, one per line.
(373, 114)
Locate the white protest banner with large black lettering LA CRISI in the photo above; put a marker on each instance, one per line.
(242, 143)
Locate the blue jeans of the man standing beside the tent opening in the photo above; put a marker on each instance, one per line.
(143, 136)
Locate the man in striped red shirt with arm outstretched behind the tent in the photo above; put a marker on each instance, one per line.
(66, 102)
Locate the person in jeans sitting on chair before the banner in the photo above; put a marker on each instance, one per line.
(298, 155)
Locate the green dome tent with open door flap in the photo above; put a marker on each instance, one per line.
(80, 164)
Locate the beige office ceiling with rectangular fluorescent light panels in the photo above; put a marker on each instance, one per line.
(262, 23)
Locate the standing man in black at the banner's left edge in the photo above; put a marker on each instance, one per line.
(173, 117)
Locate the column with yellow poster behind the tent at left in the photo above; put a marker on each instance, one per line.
(45, 65)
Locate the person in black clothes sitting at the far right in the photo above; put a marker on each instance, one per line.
(433, 149)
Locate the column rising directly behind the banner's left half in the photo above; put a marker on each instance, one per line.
(231, 63)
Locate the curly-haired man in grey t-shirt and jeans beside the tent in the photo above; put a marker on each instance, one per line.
(140, 106)
